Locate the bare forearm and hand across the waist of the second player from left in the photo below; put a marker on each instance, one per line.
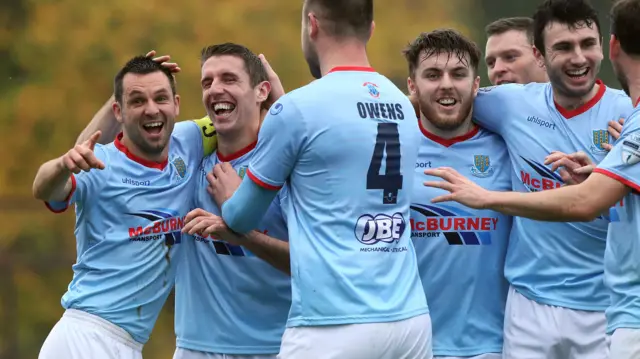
(271, 250)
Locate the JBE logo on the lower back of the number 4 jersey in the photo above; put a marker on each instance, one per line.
(381, 228)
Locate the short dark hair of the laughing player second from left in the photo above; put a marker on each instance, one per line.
(252, 64)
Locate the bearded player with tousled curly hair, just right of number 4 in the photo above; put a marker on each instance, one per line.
(460, 251)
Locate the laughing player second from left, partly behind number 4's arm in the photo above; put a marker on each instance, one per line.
(229, 302)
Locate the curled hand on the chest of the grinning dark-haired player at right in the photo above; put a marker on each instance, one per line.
(573, 168)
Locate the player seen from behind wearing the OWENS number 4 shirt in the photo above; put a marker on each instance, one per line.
(355, 284)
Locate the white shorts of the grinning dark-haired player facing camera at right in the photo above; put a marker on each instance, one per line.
(538, 331)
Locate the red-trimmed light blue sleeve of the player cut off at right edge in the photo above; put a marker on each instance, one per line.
(623, 162)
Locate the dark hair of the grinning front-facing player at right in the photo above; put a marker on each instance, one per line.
(573, 13)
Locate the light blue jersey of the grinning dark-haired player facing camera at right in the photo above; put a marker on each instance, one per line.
(553, 263)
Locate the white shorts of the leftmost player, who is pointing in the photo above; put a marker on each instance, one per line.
(80, 335)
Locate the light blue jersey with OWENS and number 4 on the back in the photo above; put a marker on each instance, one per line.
(352, 260)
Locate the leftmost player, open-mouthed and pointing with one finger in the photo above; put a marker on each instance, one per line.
(131, 196)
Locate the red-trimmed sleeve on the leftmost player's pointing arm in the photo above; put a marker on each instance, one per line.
(84, 184)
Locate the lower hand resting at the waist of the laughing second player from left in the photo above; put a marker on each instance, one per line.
(204, 223)
